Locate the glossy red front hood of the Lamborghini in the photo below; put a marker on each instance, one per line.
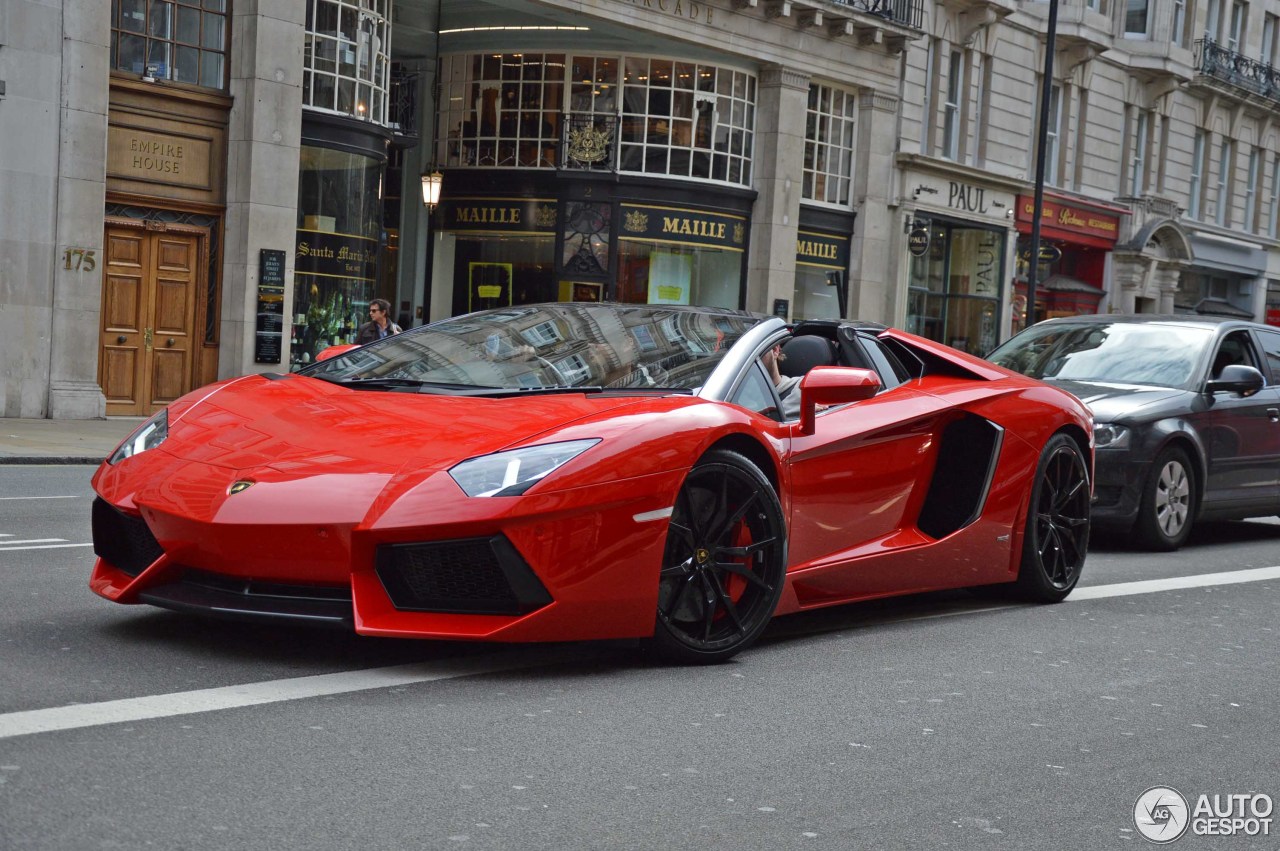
(307, 427)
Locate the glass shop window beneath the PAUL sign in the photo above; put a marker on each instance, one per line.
(957, 287)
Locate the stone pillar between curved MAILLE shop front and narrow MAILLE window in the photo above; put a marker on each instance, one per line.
(779, 161)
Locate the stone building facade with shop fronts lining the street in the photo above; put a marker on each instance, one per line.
(193, 190)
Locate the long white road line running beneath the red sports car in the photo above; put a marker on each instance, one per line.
(255, 694)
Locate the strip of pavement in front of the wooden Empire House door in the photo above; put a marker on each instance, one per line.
(62, 442)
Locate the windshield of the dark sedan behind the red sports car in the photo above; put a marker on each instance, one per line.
(1122, 354)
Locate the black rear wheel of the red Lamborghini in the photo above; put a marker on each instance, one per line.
(1057, 539)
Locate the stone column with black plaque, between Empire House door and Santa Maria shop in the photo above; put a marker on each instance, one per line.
(263, 149)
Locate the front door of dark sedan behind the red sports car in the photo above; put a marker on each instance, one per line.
(1241, 434)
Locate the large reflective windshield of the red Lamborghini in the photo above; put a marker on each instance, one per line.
(551, 346)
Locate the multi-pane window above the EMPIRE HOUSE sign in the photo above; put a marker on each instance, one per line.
(181, 42)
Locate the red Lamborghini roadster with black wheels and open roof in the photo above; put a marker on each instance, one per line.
(600, 472)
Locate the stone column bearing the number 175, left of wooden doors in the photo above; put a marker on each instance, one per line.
(74, 331)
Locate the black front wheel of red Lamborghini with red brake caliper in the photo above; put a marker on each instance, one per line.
(725, 564)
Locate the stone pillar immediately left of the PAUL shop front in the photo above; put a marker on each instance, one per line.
(875, 294)
